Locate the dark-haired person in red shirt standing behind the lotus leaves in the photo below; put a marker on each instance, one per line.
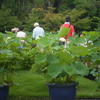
(68, 25)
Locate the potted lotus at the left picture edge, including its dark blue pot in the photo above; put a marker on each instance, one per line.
(8, 59)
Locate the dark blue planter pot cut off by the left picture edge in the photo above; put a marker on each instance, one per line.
(4, 91)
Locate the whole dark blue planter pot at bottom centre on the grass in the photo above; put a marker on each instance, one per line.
(62, 92)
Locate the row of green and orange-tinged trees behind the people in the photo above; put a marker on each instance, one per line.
(52, 21)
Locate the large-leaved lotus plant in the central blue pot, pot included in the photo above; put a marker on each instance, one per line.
(60, 66)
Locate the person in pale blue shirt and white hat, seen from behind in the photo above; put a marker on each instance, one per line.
(38, 31)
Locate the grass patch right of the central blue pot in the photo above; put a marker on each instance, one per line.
(87, 88)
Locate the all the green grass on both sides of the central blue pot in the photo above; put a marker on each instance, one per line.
(33, 85)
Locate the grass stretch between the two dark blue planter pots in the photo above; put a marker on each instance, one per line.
(28, 85)
